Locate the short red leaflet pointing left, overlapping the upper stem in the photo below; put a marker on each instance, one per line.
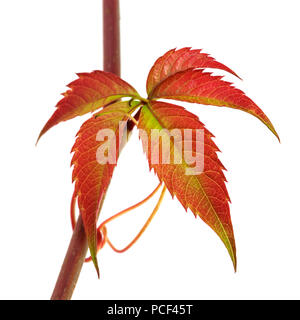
(88, 93)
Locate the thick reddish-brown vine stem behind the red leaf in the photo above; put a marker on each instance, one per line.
(77, 250)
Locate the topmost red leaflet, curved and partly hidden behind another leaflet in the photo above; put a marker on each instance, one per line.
(183, 59)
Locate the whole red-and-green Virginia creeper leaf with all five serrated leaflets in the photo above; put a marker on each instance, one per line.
(177, 75)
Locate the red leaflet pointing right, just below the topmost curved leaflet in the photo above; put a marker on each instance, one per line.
(201, 87)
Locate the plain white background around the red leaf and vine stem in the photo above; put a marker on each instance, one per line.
(43, 44)
